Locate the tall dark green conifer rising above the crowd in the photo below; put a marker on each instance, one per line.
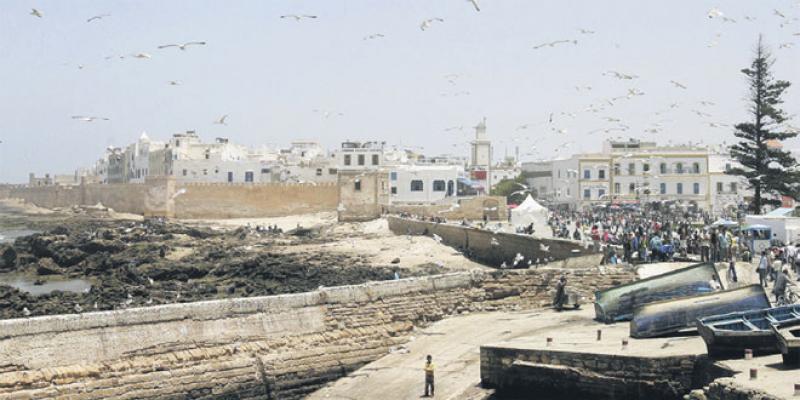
(768, 169)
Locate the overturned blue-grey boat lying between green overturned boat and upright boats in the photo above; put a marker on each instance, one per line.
(672, 316)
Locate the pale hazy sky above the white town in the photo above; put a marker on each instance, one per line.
(412, 88)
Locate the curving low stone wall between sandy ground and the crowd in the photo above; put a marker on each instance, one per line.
(496, 248)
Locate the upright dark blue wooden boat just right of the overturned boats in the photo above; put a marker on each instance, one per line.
(730, 334)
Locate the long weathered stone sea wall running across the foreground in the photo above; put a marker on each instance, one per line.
(277, 347)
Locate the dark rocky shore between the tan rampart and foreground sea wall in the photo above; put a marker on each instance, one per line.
(142, 263)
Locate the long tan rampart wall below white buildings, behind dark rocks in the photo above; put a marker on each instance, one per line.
(164, 197)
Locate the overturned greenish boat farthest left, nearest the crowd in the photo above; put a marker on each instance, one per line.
(618, 303)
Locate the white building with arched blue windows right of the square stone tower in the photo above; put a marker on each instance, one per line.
(423, 183)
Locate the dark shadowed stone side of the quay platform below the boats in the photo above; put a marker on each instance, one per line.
(589, 375)
